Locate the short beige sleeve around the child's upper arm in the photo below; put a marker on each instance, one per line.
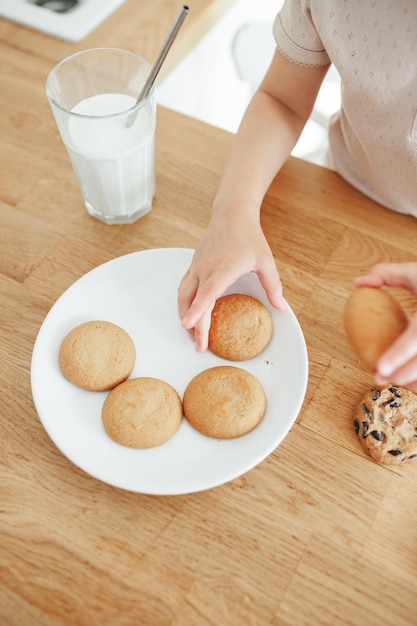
(296, 34)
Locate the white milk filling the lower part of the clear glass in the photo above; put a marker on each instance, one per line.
(113, 160)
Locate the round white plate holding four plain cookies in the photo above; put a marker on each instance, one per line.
(139, 293)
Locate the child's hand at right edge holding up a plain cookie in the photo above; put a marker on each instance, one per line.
(398, 364)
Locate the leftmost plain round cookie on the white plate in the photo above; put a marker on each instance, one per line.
(97, 355)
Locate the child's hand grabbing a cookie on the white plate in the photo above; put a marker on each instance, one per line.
(225, 253)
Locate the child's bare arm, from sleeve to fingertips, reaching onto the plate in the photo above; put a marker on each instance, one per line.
(234, 243)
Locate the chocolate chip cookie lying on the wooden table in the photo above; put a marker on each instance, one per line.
(386, 424)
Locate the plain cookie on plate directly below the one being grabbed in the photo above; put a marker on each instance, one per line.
(224, 402)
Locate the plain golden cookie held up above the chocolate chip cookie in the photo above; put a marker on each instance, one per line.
(373, 321)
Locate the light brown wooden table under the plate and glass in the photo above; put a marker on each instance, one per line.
(315, 534)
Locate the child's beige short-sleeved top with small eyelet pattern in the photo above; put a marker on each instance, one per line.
(373, 45)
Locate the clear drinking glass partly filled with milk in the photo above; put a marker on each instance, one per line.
(109, 138)
